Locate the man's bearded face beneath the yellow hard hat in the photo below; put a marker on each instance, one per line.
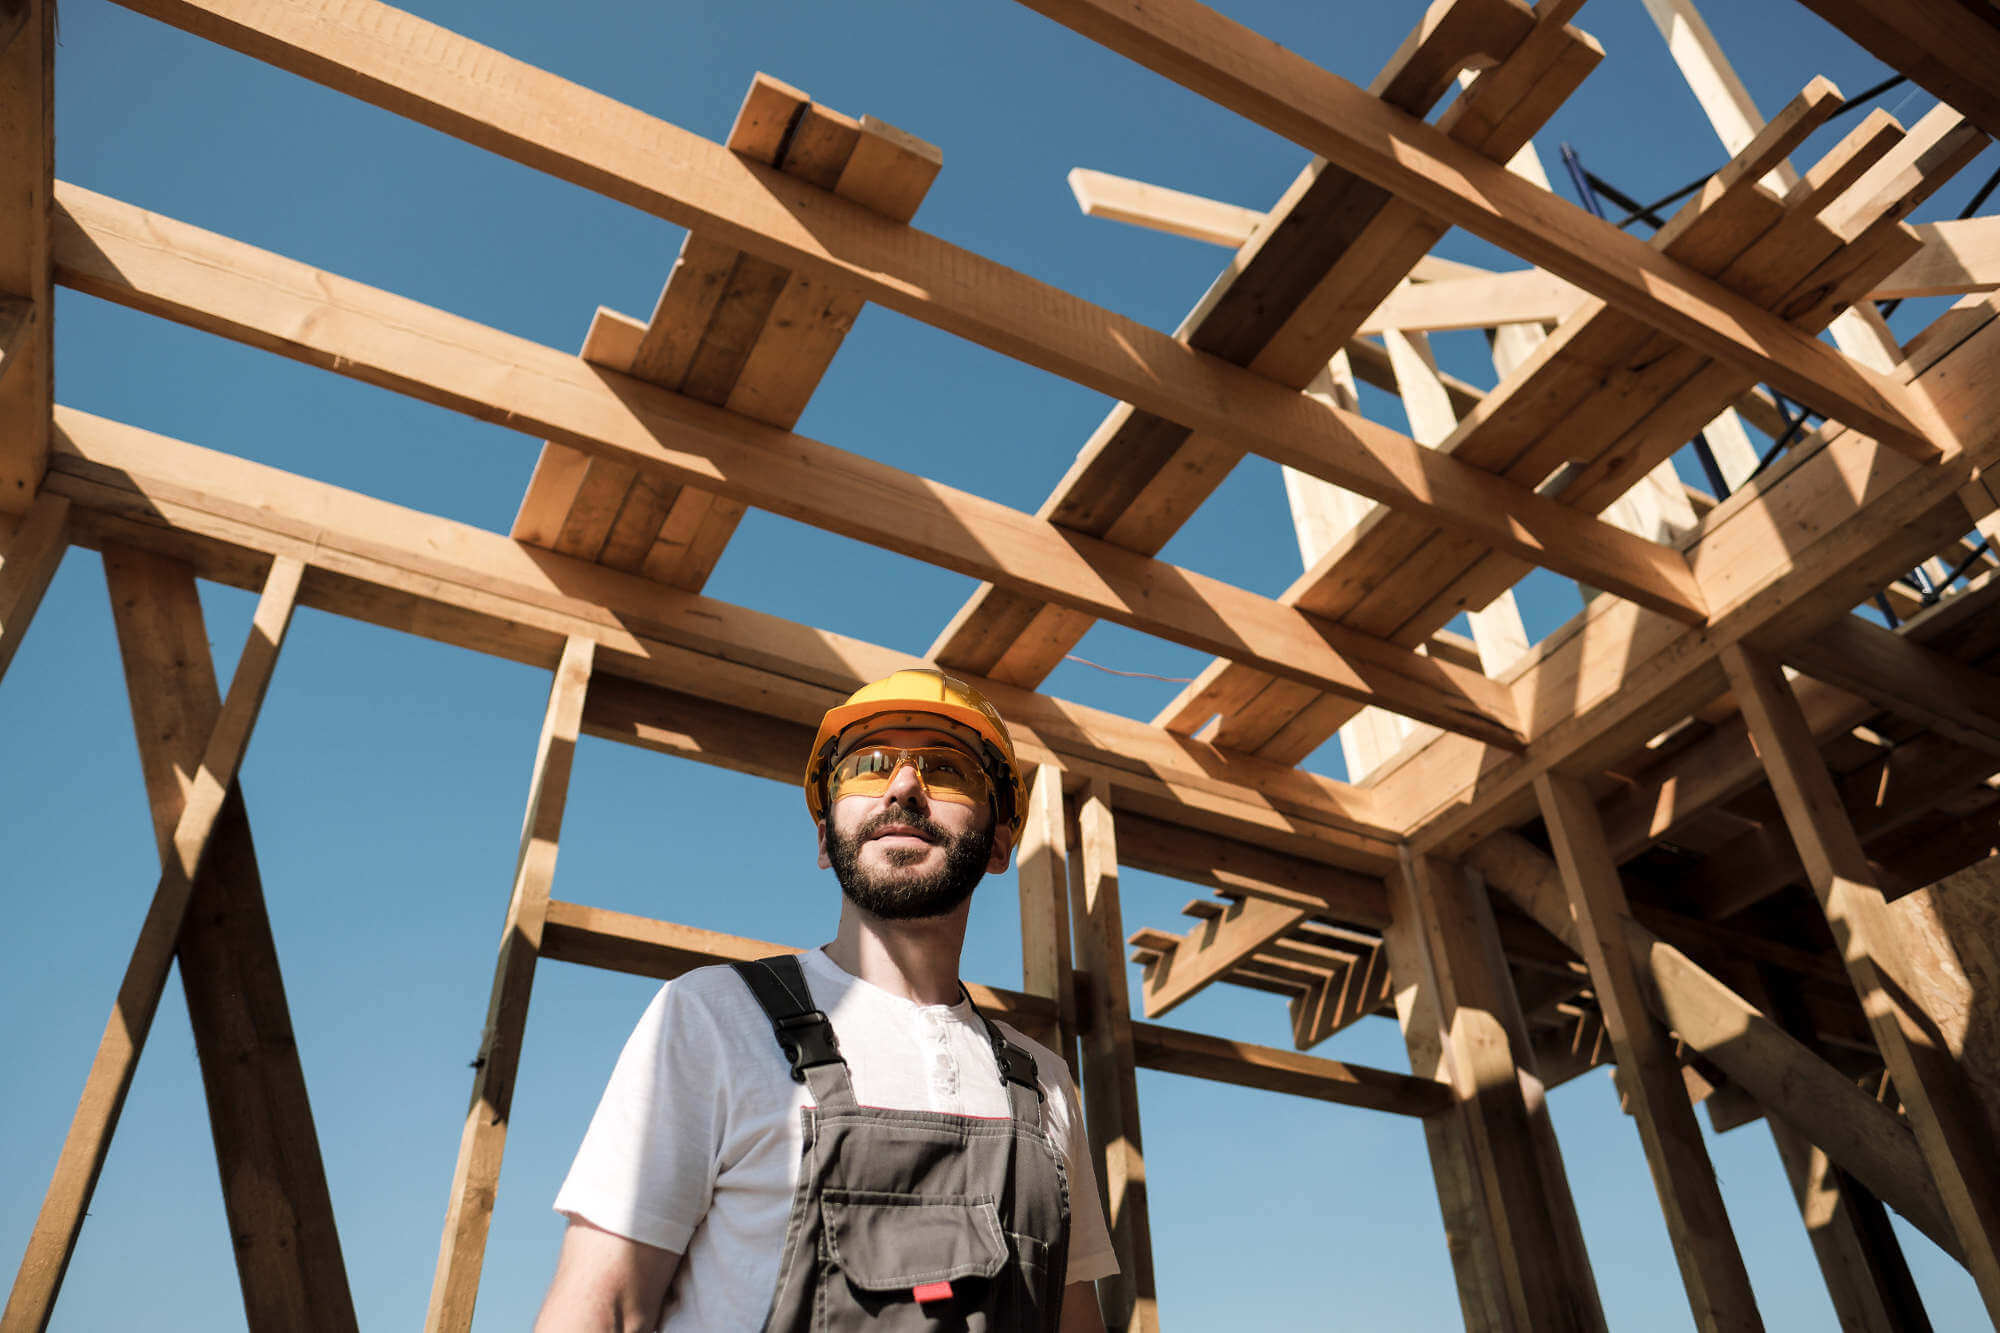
(903, 856)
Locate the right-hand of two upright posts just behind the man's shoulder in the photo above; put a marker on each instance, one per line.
(1111, 1074)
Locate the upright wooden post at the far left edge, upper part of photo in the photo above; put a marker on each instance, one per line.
(29, 151)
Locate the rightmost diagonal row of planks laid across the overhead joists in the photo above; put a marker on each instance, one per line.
(1405, 579)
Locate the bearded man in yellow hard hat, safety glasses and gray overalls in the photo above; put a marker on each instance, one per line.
(841, 1140)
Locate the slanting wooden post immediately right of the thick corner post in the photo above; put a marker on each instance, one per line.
(1711, 1266)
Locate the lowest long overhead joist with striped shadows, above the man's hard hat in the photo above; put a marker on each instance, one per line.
(491, 375)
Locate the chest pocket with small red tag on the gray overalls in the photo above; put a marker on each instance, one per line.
(883, 1252)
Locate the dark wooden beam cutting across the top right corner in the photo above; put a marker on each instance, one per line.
(1949, 49)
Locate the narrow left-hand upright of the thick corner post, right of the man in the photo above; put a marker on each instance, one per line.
(1455, 1166)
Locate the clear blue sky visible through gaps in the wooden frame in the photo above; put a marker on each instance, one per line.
(389, 774)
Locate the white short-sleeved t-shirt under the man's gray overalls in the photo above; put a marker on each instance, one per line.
(697, 1142)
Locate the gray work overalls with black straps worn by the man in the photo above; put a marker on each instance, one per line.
(913, 1220)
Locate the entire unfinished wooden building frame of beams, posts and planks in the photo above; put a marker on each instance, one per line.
(1719, 832)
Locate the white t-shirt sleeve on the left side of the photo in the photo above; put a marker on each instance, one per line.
(647, 1168)
